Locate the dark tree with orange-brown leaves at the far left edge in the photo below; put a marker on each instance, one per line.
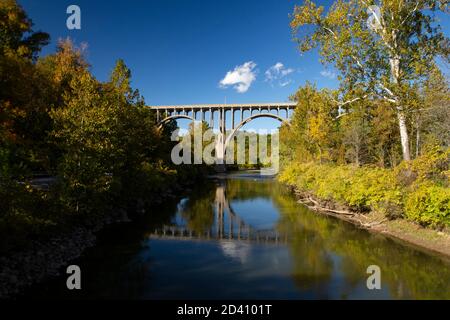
(23, 118)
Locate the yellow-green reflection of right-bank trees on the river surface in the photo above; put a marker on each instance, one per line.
(321, 247)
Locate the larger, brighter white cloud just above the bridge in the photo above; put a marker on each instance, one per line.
(241, 78)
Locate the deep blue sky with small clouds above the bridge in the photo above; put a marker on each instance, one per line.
(179, 51)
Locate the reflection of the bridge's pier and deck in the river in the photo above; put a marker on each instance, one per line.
(228, 226)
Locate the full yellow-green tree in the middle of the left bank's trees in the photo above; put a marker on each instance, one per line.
(83, 131)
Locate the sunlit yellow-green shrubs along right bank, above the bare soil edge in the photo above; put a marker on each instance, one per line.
(417, 191)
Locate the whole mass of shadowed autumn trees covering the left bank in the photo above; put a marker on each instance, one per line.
(98, 140)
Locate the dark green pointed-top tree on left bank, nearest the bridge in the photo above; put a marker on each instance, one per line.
(138, 142)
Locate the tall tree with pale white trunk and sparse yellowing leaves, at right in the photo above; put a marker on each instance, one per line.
(380, 47)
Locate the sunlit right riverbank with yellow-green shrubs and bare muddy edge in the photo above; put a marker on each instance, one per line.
(410, 201)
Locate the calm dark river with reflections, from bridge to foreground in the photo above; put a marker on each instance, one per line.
(244, 236)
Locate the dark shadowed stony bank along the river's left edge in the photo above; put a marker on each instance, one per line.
(48, 257)
